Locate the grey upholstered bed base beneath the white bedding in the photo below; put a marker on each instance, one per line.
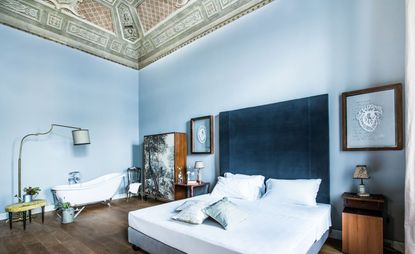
(153, 246)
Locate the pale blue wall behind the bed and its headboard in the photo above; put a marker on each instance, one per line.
(288, 49)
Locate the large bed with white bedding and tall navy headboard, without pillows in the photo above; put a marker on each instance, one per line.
(286, 140)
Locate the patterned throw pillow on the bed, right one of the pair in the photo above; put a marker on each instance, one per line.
(226, 213)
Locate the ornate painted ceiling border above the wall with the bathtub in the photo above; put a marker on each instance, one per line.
(43, 20)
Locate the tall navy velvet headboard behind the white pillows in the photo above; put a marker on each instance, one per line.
(285, 140)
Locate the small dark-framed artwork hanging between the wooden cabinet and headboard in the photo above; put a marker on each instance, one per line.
(201, 132)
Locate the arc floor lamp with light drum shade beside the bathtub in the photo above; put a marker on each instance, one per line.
(80, 137)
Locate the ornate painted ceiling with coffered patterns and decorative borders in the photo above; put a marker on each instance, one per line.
(134, 33)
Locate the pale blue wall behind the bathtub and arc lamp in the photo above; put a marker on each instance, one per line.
(43, 82)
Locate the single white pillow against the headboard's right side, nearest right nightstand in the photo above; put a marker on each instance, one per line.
(299, 192)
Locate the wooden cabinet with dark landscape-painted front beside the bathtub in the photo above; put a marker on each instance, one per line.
(164, 156)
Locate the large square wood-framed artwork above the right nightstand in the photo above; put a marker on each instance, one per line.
(372, 119)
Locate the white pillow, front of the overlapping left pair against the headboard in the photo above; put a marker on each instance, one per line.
(236, 188)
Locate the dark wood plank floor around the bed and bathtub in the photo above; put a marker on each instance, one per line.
(98, 229)
